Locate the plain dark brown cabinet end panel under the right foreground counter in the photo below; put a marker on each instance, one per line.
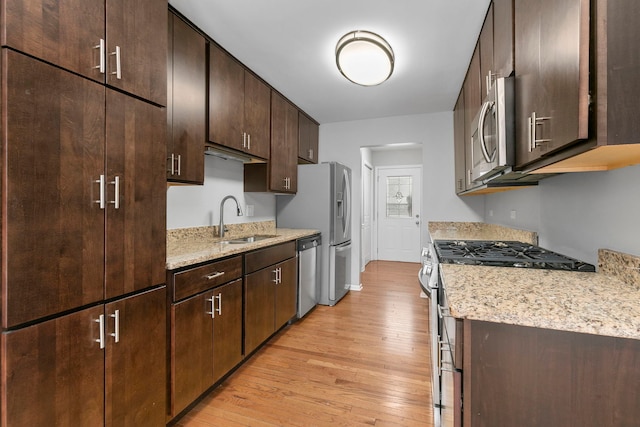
(524, 376)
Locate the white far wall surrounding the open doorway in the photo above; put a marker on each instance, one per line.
(342, 141)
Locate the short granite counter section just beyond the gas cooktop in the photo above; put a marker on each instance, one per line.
(442, 230)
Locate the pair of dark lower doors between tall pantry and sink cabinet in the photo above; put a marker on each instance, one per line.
(207, 341)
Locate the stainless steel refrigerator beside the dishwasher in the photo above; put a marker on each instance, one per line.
(323, 202)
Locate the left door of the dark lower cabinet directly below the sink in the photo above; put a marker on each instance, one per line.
(259, 308)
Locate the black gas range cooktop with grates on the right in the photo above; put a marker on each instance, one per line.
(505, 254)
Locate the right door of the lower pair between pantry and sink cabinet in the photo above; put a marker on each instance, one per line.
(227, 335)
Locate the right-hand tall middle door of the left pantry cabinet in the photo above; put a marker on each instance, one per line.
(136, 226)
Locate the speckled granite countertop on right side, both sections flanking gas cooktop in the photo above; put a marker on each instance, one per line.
(602, 303)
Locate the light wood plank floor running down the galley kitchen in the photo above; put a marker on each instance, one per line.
(365, 361)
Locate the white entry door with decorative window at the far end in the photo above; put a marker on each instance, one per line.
(398, 213)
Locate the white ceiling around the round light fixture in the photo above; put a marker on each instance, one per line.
(291, 44)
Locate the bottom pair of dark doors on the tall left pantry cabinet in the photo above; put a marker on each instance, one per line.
(56, 373)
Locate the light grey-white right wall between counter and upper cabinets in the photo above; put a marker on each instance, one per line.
(578, 213)
